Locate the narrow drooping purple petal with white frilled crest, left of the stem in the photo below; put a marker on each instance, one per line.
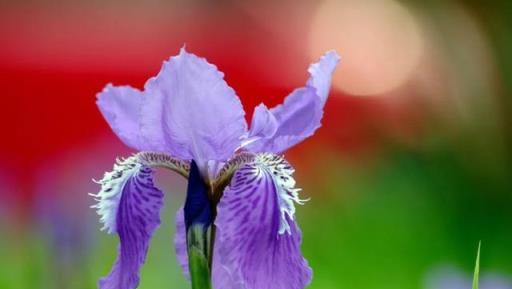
(129, 205)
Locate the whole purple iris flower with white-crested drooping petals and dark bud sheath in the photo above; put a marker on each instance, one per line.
(239, 211)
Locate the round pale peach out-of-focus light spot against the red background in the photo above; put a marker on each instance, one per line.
(380, 43)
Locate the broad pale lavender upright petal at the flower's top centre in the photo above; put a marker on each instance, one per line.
(191, 105)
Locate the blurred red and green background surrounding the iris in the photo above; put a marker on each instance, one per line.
(409, 171)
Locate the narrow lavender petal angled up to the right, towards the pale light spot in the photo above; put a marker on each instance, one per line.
(300, 114)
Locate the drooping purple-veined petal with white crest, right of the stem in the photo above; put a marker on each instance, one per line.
(258, 241)
